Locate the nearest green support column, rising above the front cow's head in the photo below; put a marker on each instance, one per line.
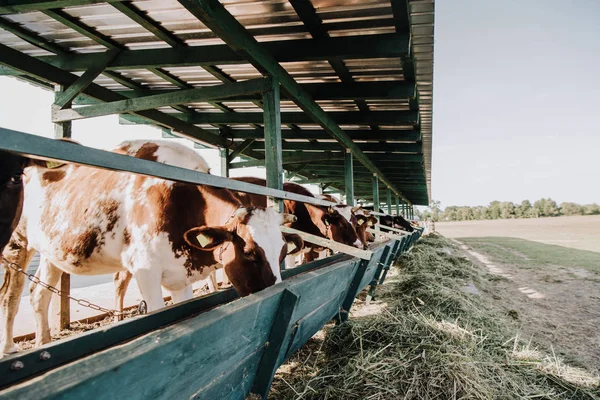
(273, 162)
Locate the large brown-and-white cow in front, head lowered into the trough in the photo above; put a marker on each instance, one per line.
(89, 221)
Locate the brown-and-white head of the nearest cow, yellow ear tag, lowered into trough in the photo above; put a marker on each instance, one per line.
(250, 246)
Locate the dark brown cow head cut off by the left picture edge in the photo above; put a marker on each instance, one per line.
(11, 194)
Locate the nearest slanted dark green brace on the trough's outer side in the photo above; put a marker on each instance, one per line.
(275, 352)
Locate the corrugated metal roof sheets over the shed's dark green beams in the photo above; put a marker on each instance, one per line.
(78, 31)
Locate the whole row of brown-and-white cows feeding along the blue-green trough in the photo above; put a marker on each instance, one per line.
(90, 221)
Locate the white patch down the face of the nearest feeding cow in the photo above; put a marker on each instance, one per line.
(264, 228)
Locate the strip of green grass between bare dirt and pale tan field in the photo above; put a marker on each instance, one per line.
(526, 253)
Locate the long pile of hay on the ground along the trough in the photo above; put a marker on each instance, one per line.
(432, 340)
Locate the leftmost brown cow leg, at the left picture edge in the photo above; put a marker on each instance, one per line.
(11, 291)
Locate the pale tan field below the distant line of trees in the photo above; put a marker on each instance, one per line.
(579, 232)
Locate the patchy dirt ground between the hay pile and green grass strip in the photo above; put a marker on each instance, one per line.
(556, 305)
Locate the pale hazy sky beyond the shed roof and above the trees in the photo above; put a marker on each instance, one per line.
(516, 98)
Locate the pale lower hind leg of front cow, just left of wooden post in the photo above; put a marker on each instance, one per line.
(40, 299)
